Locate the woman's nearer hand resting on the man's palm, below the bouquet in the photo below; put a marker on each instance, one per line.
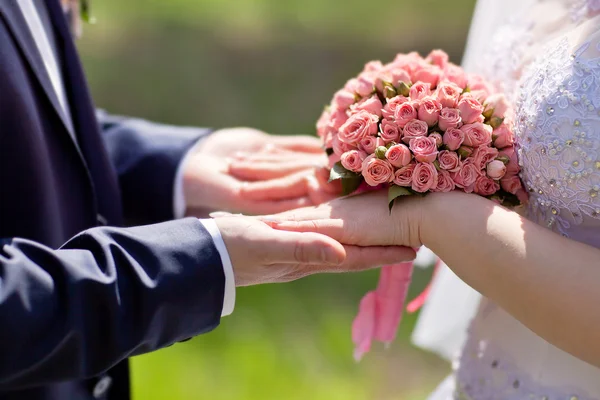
(363, 220)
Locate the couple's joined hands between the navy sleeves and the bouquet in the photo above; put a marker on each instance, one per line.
(299, 225)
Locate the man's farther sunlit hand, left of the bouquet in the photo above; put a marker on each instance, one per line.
(246, 170)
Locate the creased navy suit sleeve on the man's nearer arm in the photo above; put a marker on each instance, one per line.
(105, 295)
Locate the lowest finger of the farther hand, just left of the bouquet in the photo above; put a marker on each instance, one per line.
(288, 187)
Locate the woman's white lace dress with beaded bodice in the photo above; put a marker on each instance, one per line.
(546, 56)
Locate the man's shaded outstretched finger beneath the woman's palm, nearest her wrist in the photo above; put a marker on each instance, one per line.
(365, 258)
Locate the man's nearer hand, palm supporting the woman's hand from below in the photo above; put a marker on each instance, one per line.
(260, 254)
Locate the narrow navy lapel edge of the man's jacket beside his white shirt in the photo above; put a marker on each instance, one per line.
(20, 30)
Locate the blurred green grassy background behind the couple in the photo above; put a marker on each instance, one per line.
(269, 64)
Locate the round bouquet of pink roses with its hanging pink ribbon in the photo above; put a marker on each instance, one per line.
(414, 126)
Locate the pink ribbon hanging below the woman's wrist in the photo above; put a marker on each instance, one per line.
(380, 311)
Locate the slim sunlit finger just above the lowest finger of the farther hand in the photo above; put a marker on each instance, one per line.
(260, 171)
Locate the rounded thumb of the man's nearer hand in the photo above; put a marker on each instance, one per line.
(306, 249)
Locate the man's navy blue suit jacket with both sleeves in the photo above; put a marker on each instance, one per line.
(78, 295)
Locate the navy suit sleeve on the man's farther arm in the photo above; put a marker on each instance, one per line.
(146, 157)
